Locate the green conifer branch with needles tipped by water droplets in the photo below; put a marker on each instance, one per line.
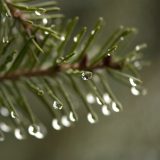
(41, 54)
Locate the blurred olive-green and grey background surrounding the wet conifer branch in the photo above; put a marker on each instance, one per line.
(133, 134)
